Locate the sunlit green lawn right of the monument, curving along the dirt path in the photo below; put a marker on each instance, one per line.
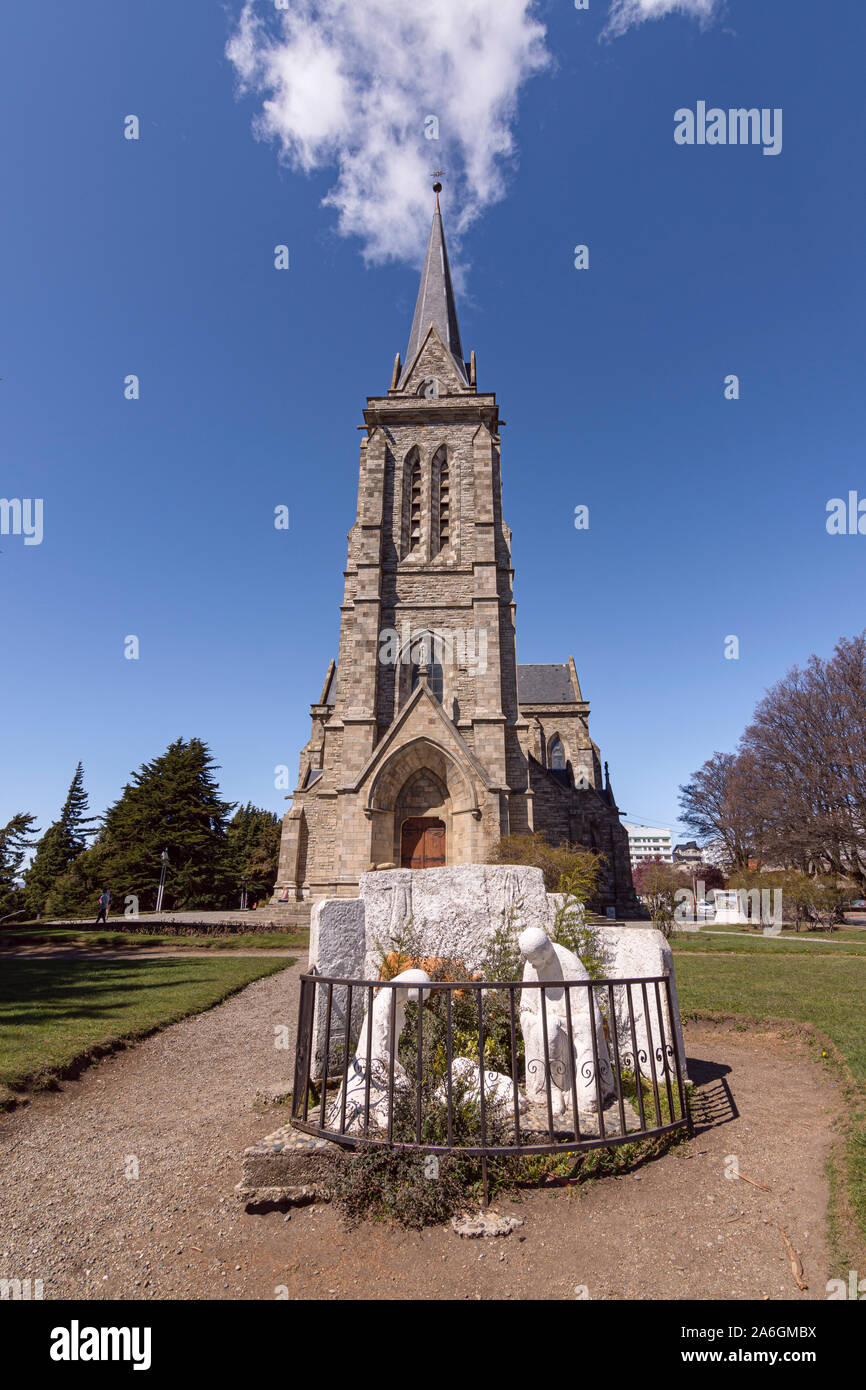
(831, 995)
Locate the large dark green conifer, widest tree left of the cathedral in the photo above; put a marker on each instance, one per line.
(170, 804)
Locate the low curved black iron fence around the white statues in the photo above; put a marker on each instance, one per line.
(489, 1068)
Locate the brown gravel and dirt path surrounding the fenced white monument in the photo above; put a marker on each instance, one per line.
(183, 1107)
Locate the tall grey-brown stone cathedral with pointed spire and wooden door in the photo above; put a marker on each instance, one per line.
(429, 740)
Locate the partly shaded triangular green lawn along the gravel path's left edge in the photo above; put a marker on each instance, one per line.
(58, 1014)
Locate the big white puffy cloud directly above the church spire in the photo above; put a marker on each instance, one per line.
(348, 85)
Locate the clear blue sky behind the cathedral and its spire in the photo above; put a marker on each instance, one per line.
(156, 258)
